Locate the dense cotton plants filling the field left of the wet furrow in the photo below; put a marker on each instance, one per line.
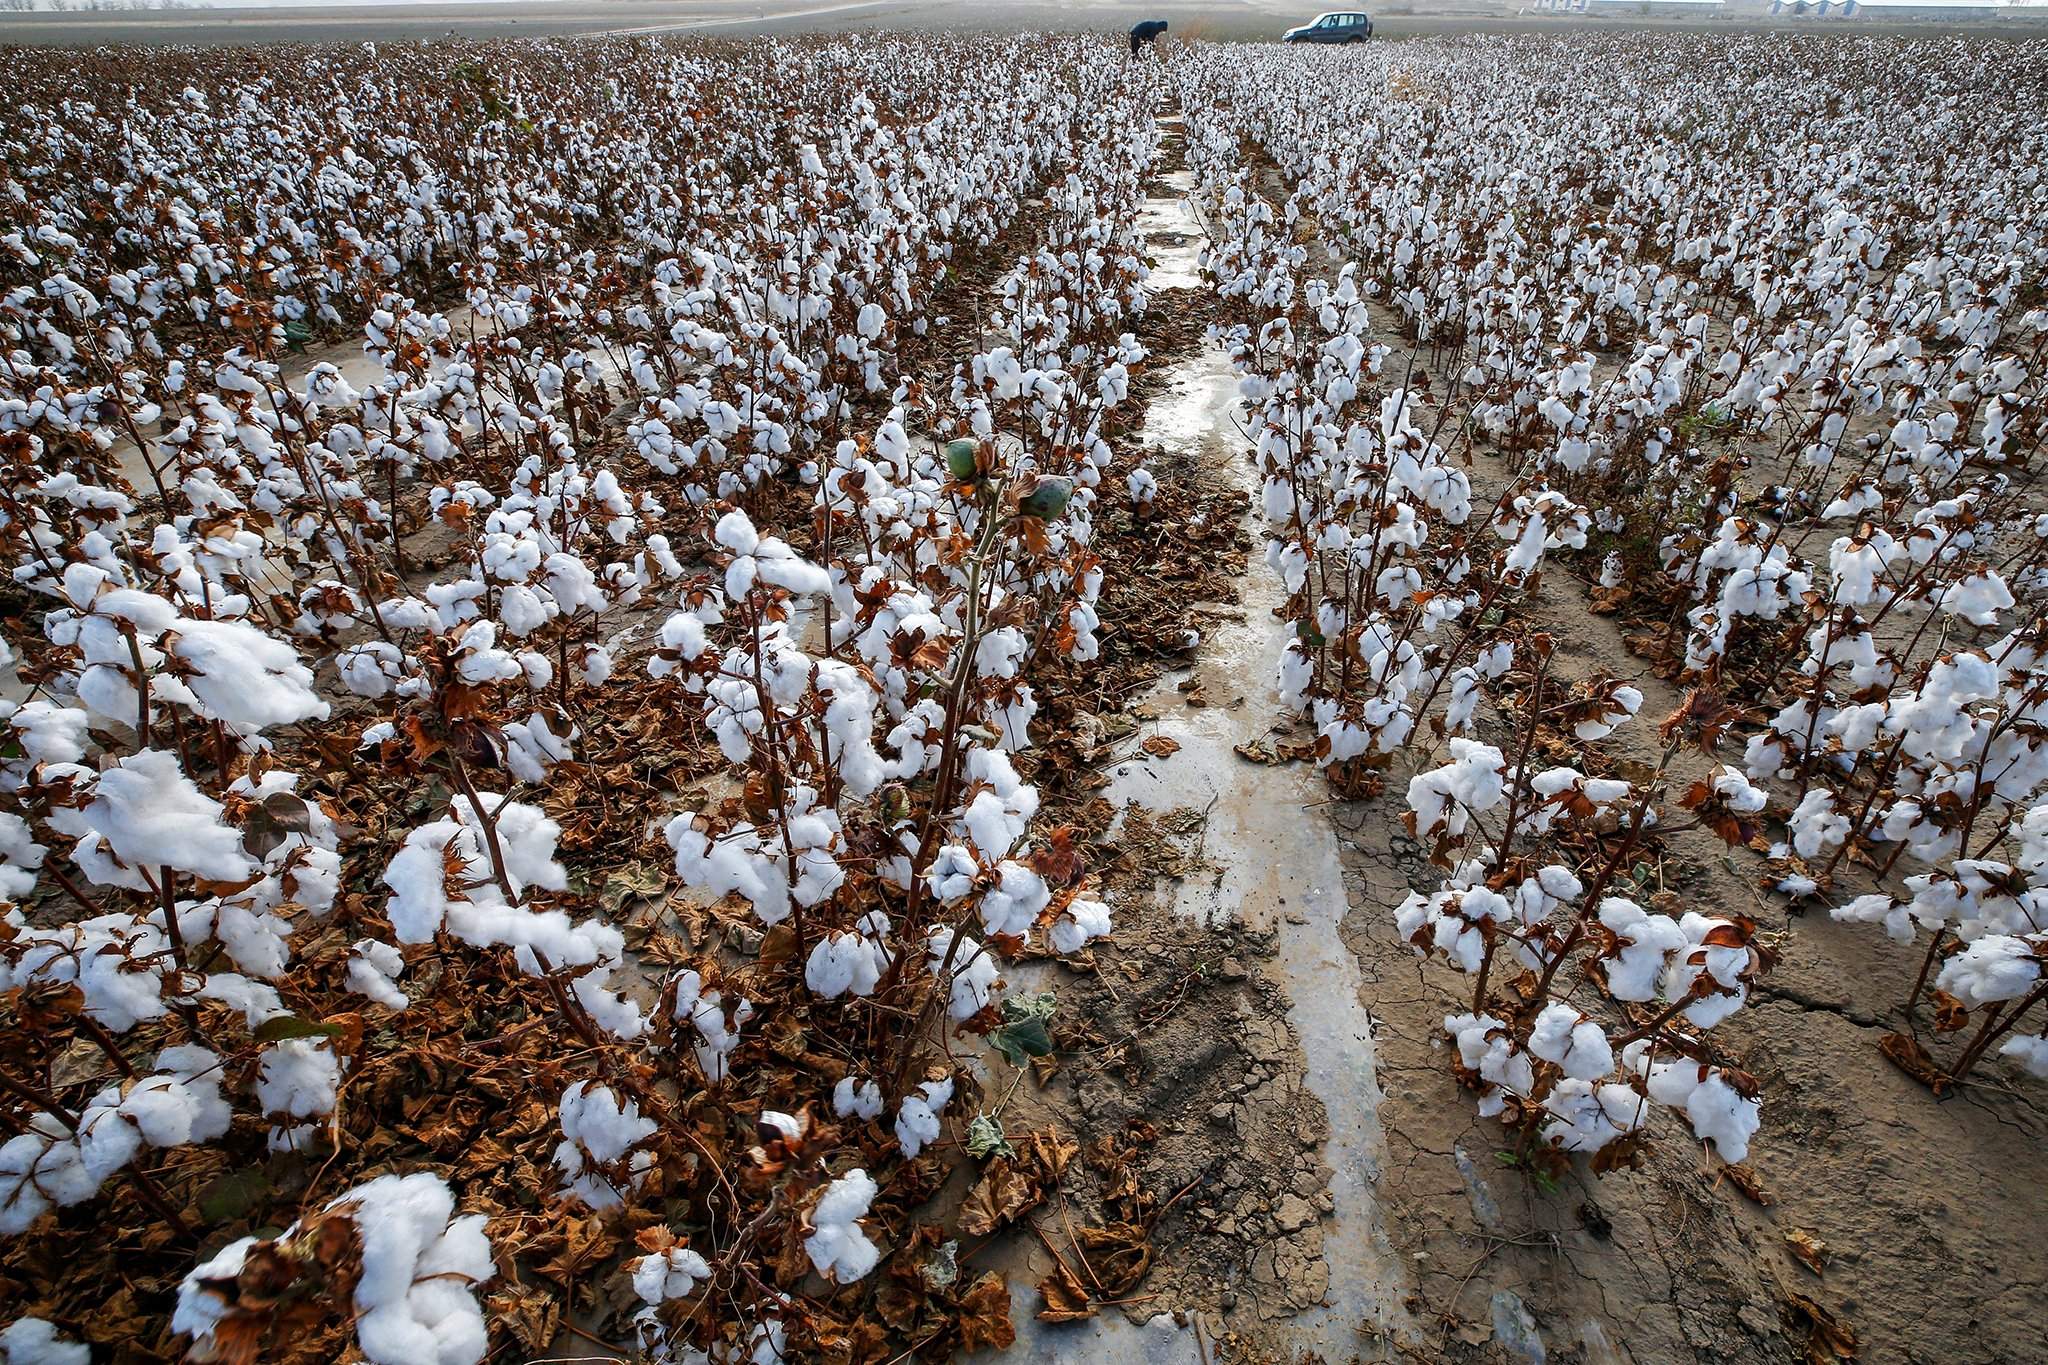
(675, 410)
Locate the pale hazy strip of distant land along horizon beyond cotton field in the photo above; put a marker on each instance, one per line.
(1220, 19)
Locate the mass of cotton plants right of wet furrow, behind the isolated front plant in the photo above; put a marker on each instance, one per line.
(1799, 435)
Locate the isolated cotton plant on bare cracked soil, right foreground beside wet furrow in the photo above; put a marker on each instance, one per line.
(1562, 1077)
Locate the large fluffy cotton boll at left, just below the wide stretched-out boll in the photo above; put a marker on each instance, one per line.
(155, 818)
